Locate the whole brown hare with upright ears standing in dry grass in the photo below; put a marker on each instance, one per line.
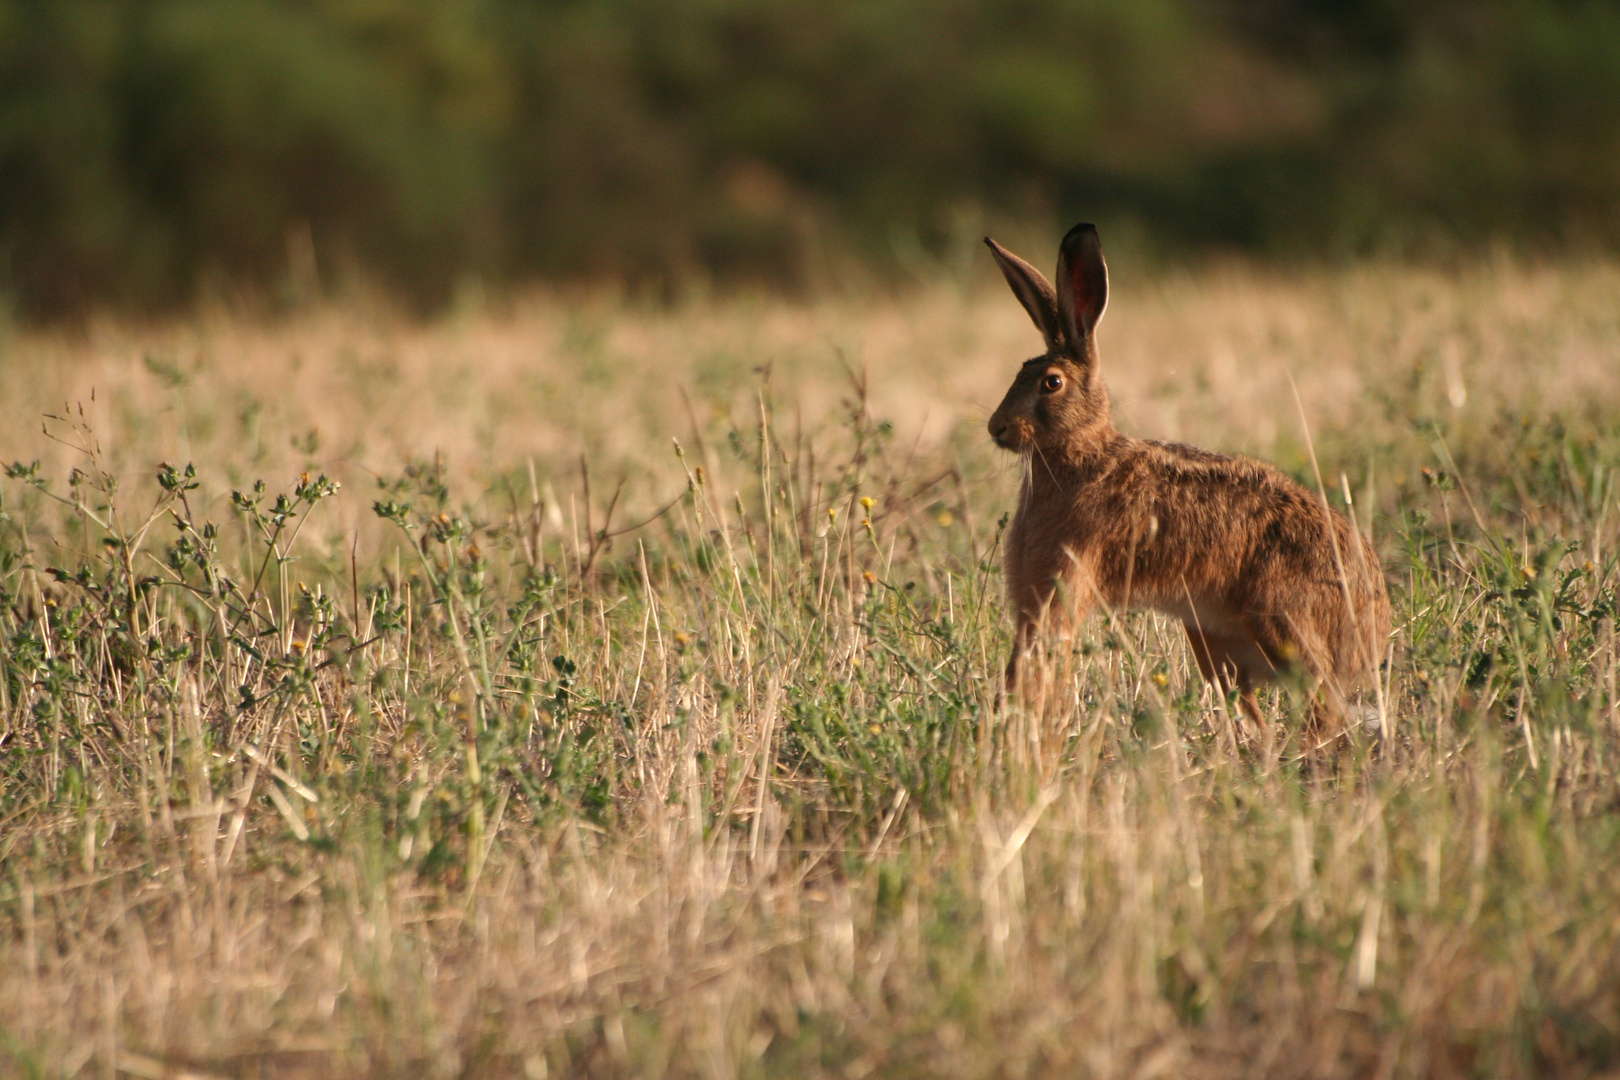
(1263, 574)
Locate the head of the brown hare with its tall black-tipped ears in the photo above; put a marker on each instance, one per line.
(1057, 404)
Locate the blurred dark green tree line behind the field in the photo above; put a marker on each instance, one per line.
(150, 148)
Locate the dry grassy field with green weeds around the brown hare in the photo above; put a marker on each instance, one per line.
(592, 691)
